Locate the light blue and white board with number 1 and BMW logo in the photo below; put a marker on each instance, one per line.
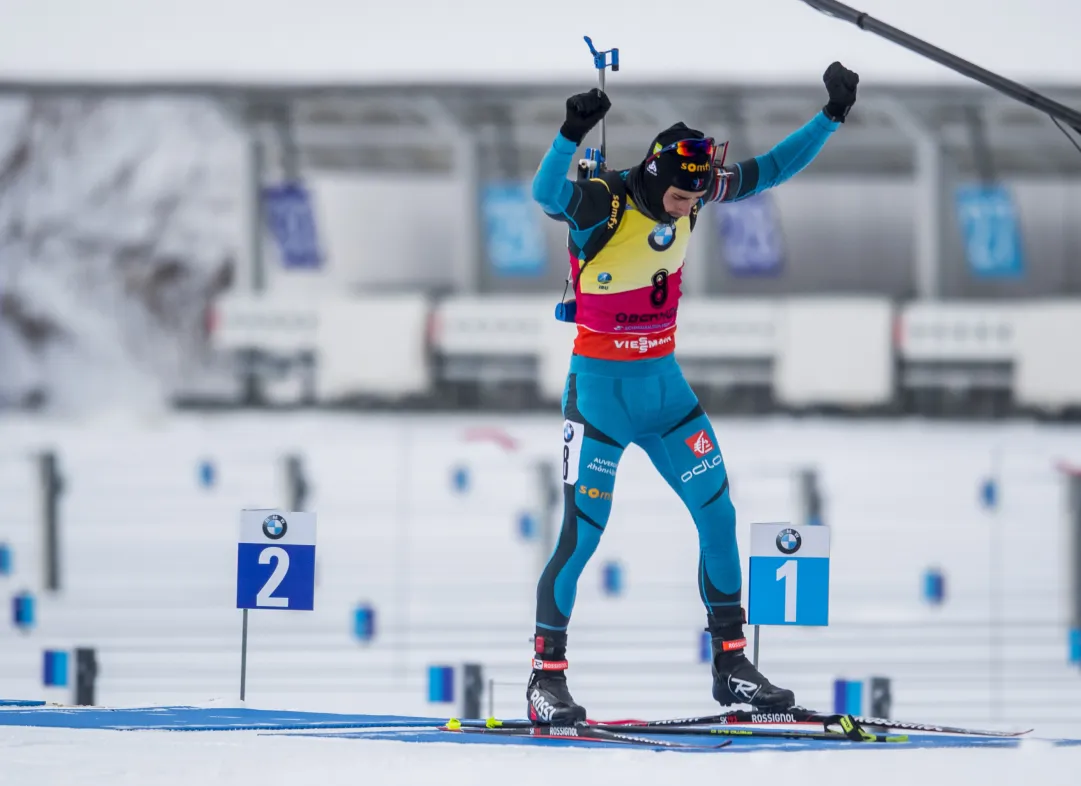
(790, 575)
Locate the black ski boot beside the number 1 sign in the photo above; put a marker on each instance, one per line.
(736, 678)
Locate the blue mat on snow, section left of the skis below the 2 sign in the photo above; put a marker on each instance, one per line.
(181, 718)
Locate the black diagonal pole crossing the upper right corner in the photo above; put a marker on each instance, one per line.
(1019, 92)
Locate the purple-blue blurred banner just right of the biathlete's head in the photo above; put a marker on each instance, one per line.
(751, 232)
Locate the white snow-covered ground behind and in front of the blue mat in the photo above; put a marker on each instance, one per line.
(149, 559)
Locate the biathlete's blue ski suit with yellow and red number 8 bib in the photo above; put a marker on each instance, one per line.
(625, 385)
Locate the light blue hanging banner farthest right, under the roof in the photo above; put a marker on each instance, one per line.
(991, 231)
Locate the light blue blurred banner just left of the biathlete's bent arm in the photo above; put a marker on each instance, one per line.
(515, 238)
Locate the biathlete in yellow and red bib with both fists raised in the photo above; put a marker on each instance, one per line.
(629, 236)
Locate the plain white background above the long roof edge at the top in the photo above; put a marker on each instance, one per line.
(492, 41)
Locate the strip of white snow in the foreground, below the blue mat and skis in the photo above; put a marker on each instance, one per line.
(55, 757)
